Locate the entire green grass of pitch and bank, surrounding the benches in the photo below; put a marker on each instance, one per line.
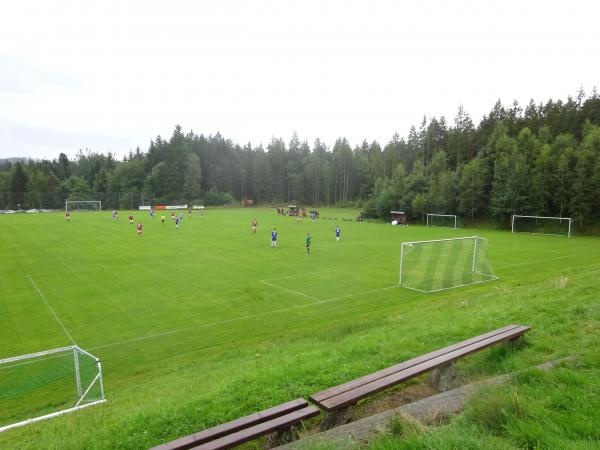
(203, 324)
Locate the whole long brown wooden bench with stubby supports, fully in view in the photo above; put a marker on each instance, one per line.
(338, 401)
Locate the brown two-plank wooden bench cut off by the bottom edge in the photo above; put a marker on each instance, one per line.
(279, 420)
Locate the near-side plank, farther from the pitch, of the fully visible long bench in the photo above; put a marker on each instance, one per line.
(352, 396)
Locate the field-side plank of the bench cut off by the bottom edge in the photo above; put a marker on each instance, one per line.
(195, 439)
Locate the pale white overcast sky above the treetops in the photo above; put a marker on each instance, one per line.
(112, 75)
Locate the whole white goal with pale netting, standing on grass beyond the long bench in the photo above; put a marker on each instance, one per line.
(431, 266)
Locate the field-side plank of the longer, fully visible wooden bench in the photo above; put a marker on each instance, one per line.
(331, 392)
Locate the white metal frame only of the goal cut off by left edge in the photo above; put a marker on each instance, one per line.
(82, 391)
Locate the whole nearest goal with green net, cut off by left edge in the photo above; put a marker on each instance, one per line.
(47, 384)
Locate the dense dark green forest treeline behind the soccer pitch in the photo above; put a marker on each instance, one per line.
(543, 159)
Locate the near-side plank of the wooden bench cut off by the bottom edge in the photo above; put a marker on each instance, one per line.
(262, 429)
